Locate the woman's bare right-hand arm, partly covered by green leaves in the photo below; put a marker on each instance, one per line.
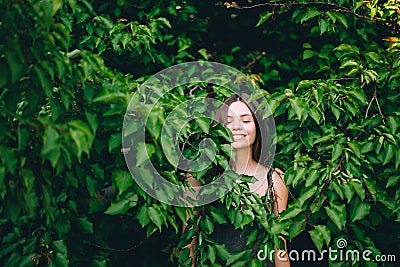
(280, 203)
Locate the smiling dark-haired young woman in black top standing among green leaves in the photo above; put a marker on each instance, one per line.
(247, 130)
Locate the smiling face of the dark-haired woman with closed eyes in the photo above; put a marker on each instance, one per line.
(241, 123)
